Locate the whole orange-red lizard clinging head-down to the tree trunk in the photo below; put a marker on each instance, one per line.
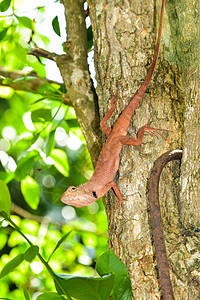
(108, 162)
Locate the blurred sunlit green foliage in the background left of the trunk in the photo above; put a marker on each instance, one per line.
(42, 152)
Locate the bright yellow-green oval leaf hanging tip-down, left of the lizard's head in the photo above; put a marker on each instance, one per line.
(31, 191)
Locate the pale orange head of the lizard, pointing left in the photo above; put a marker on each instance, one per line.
(78, 196)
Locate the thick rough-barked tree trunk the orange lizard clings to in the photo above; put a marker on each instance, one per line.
(124, 39)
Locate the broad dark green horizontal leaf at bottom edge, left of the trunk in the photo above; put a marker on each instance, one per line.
(90, 288)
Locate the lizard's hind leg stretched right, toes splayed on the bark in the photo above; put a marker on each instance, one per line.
(125, 140)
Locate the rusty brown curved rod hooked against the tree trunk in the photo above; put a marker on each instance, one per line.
(156, 221)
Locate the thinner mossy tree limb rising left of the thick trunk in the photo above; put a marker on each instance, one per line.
(74, 70)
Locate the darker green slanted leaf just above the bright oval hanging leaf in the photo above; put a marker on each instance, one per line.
(25, 165)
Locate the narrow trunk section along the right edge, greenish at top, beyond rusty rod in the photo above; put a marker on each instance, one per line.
(185, 36)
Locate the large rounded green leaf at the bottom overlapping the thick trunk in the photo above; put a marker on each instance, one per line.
(108, 263)
